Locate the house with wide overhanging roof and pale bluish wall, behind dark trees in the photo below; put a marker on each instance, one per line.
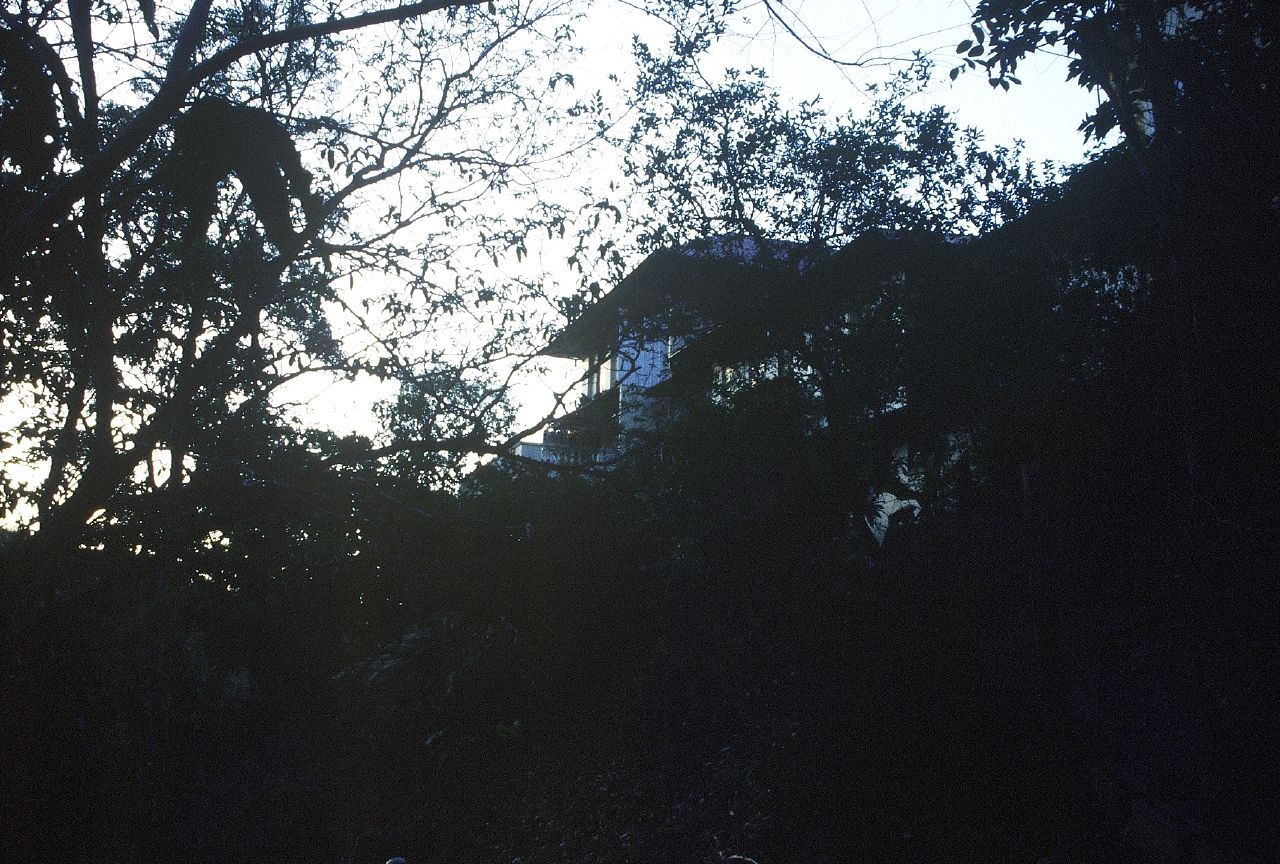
(724, 316)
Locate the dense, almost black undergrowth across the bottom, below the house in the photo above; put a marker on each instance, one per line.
(587, 688)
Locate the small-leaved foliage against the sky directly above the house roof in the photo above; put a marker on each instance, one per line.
(728, 158)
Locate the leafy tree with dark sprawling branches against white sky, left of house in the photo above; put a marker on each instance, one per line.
(195, 200)
